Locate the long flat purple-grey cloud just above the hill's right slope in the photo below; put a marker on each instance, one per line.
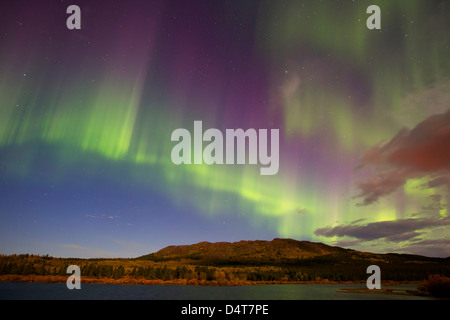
(398, 230)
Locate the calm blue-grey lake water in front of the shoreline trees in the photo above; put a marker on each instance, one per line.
(59, 291)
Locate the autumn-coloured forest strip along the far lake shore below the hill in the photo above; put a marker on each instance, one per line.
(312, 270)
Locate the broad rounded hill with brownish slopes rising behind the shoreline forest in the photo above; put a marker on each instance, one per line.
(275, 252)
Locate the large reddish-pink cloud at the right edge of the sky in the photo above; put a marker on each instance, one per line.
(422, 151)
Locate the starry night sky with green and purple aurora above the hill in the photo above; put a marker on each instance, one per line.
(86, 118)
